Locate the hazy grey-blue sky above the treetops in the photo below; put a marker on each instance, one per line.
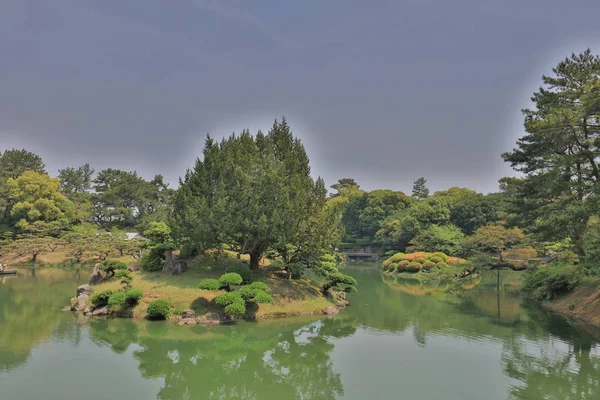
(381, 91)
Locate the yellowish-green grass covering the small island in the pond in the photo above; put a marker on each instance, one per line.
(291, 297)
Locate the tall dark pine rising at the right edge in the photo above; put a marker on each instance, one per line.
(559, 153)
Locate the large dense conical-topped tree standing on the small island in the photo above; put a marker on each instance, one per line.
(252, 194)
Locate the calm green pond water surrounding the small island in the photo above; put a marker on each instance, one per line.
(397, 340)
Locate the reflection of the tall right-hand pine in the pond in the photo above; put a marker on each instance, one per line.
(562, 367)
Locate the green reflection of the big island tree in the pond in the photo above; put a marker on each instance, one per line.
(246, 361)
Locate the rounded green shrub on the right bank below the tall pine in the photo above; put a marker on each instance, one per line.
(545, 283)
